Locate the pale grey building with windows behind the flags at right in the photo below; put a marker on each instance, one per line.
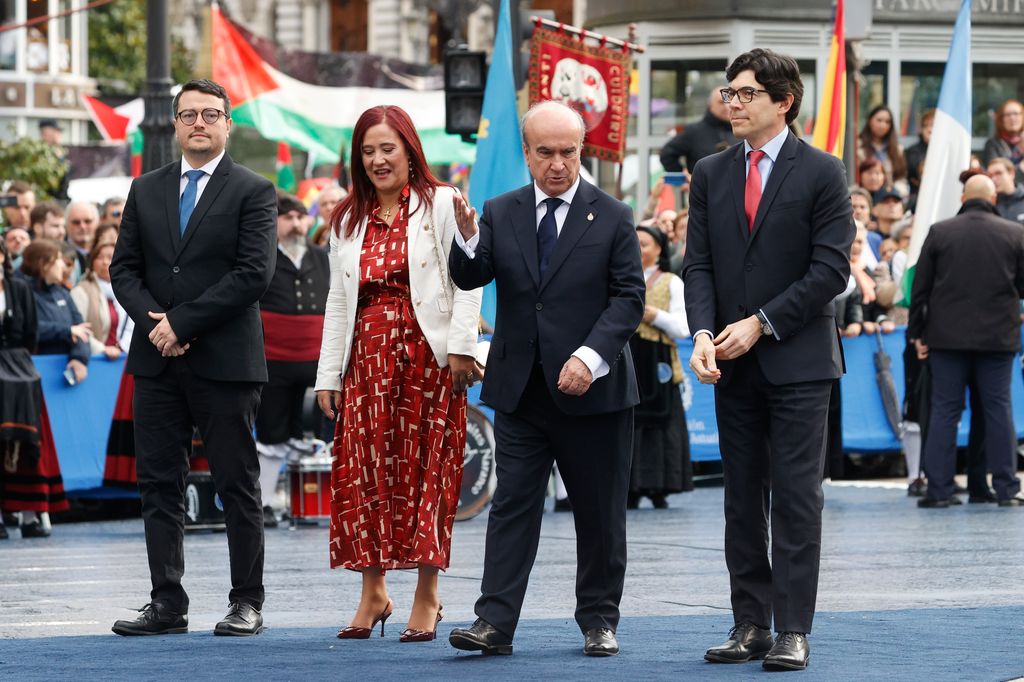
(691, 42)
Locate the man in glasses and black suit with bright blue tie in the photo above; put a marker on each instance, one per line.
(195, 255)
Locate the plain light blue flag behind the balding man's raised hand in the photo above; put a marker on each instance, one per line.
(500, 165)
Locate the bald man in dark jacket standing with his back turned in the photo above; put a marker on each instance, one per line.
(966, 321)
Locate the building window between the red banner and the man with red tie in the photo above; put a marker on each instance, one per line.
(679, 92)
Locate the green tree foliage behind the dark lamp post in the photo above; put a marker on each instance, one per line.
(117, 49)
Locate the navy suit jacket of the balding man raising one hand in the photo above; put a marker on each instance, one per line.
(592, 295)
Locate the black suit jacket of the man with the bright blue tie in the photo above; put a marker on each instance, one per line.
(209, 281)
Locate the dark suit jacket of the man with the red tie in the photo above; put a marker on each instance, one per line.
(792, 266)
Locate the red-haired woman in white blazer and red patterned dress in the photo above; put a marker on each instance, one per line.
(398, 356)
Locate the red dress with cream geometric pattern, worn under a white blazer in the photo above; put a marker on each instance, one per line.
(399, 447)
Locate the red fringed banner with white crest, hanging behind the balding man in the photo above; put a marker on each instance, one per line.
(592, 79)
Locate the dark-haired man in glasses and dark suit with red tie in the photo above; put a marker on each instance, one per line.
(767, 251)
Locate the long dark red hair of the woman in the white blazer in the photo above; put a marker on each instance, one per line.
(361, 200)
